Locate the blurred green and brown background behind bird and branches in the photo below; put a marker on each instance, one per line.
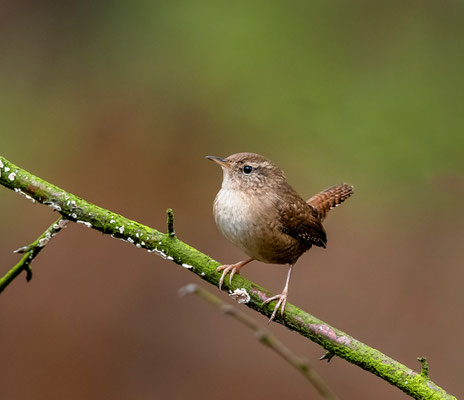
(118, 102)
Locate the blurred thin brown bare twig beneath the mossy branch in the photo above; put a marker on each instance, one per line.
(266, 338)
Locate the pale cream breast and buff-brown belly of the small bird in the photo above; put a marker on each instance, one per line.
(251, 223)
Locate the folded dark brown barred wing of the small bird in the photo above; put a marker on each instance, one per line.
(300, 221)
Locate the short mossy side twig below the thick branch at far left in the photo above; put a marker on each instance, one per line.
(30, 252)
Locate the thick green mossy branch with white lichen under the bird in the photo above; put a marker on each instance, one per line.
(336, 342)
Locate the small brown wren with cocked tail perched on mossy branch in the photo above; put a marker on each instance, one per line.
(257, 210)
